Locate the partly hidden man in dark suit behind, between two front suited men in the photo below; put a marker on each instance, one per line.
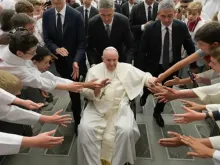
(87, 11)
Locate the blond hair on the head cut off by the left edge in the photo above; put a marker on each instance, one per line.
(10, 82)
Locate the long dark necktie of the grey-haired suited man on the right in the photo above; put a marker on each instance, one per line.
(166, 52)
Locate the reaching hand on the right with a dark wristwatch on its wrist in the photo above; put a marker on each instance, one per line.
(189, 116)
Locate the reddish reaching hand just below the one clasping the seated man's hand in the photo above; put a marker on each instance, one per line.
(166, 95)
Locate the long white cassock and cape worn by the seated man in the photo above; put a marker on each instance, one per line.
(108, 131)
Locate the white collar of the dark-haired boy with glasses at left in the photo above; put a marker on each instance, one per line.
(11, 58)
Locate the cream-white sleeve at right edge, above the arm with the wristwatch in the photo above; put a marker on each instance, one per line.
(208, 94)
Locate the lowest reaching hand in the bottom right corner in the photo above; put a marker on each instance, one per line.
(200, 150)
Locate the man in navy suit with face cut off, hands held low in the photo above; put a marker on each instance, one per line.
(64, 35)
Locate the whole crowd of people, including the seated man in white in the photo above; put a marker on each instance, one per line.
(110, 52)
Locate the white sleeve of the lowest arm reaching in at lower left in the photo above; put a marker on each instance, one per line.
(9, 143)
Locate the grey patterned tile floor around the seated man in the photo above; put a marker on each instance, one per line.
(147, 149)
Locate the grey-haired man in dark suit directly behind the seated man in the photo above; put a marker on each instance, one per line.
(109, 29)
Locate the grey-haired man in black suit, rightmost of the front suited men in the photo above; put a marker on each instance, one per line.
(161, 46)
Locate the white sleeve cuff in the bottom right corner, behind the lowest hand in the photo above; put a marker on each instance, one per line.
(215, 141)
